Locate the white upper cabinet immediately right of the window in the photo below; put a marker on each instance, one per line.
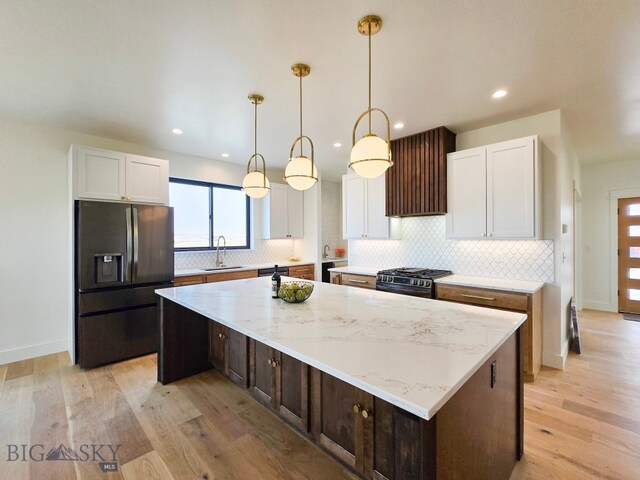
(283, 212)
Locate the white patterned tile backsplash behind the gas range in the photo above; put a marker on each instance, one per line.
(424, 244)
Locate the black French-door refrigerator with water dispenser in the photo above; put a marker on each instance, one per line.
(123, 253)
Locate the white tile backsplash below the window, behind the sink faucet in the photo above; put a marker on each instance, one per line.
(264, 251)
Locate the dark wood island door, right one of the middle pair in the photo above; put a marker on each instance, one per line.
(292, 391)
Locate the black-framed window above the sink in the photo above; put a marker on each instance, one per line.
(204, 211)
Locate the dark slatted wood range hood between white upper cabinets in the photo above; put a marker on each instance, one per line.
(416, 184)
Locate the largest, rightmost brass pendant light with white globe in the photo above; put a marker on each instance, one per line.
(371, 155)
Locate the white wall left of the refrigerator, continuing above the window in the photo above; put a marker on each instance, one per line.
(35, 277)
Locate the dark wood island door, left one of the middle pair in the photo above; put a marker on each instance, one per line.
(262, 366)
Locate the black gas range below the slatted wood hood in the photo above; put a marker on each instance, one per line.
(418, 282)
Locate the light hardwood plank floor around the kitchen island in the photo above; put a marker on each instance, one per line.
(580, 423)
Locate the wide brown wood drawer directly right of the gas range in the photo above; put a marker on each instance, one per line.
(482, 297)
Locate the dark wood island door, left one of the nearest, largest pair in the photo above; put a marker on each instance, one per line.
(337, 423)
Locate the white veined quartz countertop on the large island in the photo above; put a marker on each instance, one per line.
(412, 352)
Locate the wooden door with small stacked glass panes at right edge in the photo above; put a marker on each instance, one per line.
(629, 255)
